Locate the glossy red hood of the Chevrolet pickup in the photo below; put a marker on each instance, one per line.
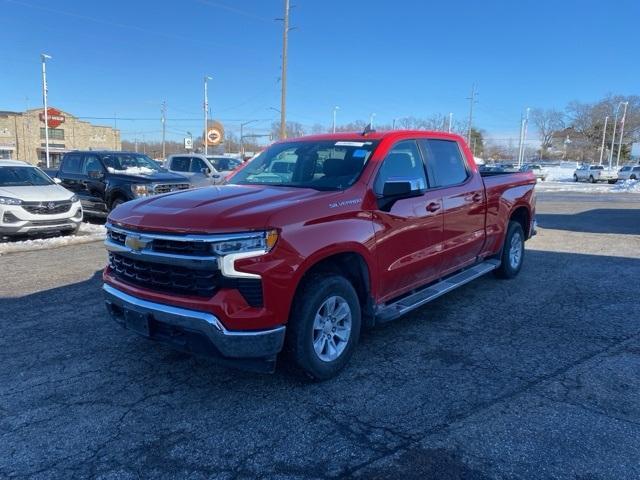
(228, 208)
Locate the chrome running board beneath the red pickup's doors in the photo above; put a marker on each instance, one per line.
(391, 311)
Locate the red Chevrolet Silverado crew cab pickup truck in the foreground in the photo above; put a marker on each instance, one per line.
(311, 241)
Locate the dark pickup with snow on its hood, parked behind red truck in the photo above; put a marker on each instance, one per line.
(105, 179)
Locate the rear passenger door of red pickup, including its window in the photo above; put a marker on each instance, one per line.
(463, 199)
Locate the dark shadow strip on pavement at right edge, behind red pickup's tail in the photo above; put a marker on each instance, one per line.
(599, 220)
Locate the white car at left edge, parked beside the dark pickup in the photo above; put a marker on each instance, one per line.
(31, 203)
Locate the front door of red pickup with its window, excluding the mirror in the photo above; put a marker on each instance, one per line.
(409, 231)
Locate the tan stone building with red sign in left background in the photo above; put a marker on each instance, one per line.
(22, 135)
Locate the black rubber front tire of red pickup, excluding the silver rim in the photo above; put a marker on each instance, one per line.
(300, 332)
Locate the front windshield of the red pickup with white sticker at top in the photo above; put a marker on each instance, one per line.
(321, 164)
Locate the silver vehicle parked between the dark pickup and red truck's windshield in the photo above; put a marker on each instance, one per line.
(202, 170)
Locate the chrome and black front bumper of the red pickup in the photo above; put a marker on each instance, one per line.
(185, 328)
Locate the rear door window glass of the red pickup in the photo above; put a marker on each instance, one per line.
(445, 162)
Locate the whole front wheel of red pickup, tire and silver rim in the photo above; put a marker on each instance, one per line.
(324, 326)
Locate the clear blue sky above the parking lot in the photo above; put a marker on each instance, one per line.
(402, 58)
